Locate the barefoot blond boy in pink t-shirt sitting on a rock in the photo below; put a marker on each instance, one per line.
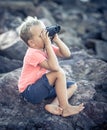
(41, 75)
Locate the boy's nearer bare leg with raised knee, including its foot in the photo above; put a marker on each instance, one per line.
(58, 78)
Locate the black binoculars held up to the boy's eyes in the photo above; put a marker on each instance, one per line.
(53, 30)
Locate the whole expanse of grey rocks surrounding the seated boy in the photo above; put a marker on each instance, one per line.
(83, 29)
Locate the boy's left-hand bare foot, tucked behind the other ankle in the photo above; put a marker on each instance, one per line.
(54, 109)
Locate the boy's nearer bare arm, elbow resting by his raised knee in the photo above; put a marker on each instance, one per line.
(51, 63)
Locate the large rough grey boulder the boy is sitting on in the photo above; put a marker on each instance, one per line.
(18, 114)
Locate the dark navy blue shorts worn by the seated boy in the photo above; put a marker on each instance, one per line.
(41, 90)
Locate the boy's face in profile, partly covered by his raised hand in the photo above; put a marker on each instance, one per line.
(36, 41)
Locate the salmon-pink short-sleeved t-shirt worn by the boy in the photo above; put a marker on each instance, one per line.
(31, 70)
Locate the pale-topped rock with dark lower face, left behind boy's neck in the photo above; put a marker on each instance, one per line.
(12, 46)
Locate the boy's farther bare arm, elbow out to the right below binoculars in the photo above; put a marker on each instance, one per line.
(63, 49)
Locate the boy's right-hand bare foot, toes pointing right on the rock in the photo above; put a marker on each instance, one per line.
(72, 110)
